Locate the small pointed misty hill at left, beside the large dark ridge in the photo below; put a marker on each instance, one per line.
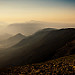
(11, 41)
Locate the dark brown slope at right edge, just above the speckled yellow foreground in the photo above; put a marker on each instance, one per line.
(67, 49)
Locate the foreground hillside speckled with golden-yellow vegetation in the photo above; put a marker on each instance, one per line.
(61, 66)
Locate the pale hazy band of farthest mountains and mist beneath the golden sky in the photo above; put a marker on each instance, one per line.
(31, 27)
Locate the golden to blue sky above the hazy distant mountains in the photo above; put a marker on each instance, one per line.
(60, 11)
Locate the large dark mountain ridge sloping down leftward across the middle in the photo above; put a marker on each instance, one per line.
(39, 47)
